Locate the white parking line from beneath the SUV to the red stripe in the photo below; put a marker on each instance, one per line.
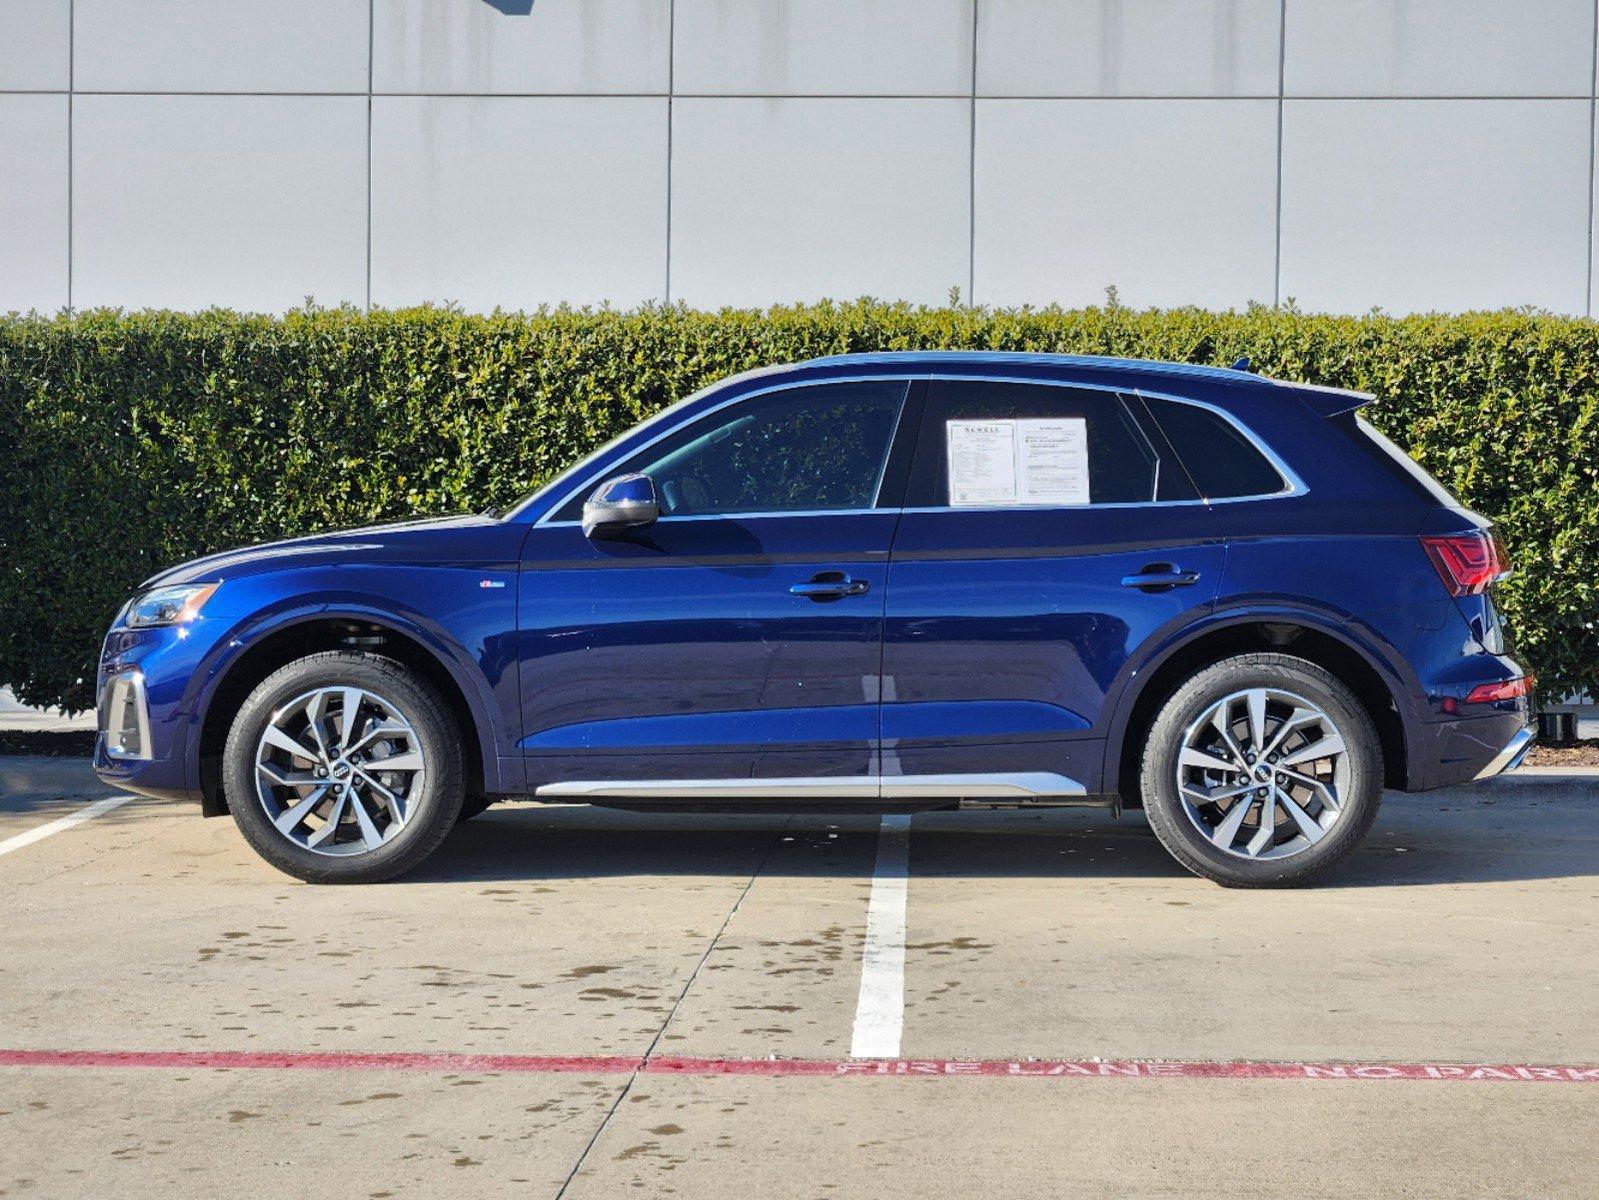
(880, 1012)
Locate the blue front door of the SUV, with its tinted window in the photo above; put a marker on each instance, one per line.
(740, 636)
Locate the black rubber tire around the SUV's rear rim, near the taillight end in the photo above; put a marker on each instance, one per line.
(1200, 694)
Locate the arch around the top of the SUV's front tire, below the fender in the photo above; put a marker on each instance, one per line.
(265, 650)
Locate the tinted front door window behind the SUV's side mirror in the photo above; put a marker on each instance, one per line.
(819, 447)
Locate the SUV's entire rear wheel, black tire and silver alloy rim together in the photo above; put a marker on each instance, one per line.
(1262, 770)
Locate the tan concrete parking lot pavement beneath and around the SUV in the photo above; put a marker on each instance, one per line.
(1464, 932)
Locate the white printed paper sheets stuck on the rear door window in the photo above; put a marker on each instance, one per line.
(1008, 463)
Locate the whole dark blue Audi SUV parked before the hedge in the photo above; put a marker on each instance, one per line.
(885, 582)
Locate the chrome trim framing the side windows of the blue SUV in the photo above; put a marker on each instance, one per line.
(1293, 486)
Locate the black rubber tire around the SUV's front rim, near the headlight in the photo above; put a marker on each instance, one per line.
(431, 815)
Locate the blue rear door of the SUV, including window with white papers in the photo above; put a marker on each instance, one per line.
(1048, 534)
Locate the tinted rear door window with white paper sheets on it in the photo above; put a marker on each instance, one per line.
(1058, 447)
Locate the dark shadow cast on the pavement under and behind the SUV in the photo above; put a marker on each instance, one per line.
(1549, 830)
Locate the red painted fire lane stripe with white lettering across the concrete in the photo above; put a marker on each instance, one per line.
(623, 1065)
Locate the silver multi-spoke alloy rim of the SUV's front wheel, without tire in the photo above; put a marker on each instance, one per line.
(338, 770)
